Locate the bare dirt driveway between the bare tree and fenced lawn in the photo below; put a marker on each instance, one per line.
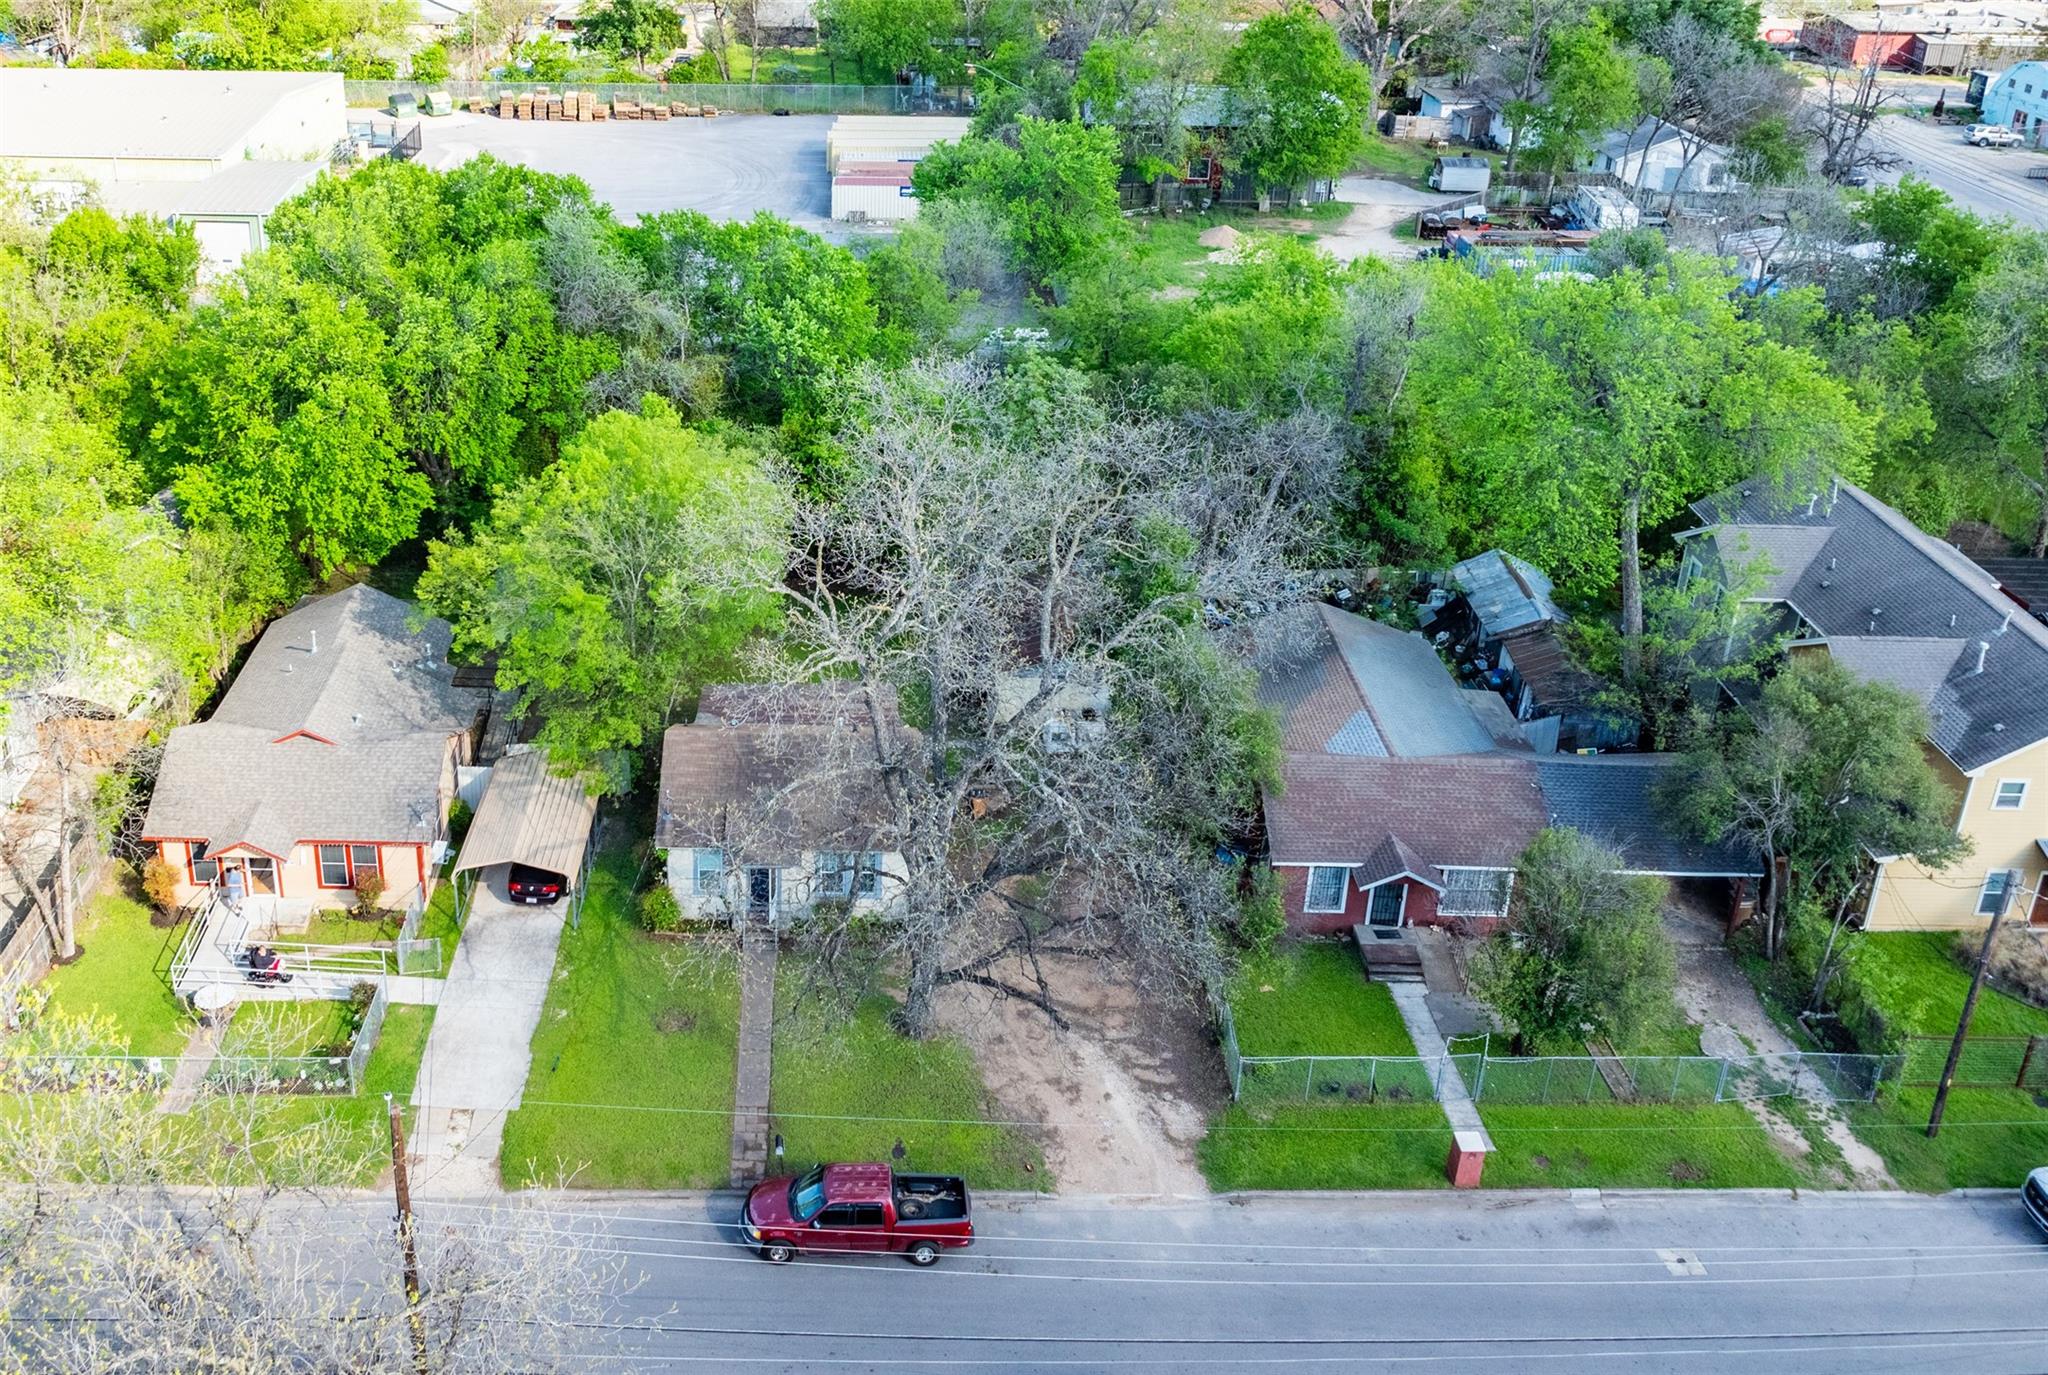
(1125, 1093)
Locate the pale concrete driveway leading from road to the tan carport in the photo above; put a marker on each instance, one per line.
(478, 1052)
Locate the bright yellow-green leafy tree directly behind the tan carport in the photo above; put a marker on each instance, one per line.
(617, 581)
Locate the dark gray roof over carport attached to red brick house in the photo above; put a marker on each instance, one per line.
(1613, 798)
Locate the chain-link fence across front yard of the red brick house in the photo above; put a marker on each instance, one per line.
(1555, 1079)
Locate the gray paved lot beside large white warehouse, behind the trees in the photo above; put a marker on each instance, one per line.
(728, 167)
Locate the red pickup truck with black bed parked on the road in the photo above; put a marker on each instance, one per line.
(857, 1208)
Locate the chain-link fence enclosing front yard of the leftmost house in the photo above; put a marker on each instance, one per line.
(255, 1073)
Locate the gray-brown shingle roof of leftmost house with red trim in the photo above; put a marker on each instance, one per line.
(341, 743)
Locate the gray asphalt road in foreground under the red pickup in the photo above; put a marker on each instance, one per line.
(1672, 1284)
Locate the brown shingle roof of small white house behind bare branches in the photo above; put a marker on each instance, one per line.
(775, 772)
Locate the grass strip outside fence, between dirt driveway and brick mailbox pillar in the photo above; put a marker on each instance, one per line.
(1316, 1147)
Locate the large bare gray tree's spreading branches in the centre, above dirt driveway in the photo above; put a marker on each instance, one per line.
(1005, 556)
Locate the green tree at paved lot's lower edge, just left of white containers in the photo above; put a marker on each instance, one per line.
(783, 308)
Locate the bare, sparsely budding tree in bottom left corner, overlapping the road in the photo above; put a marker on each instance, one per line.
(208, 1241)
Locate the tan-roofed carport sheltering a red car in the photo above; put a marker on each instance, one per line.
(529, 817)
